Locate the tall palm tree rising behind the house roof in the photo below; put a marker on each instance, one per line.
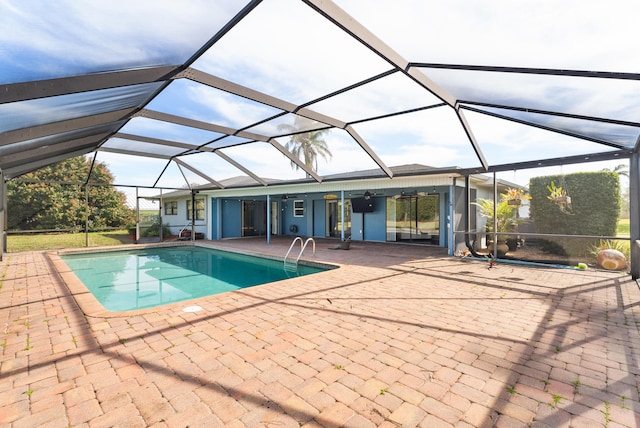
(306, 146)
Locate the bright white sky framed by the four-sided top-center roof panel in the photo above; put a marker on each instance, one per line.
(283, 47)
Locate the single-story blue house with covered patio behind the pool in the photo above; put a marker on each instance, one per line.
(411, 208)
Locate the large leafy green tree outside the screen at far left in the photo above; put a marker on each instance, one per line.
(42, 200)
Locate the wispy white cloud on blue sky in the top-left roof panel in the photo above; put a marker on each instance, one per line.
(107, 35)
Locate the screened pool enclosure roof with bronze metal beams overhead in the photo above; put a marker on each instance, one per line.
(170, 92)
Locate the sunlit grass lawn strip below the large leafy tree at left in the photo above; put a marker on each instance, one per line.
(36, 242)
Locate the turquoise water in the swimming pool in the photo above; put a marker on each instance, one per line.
(126, 280)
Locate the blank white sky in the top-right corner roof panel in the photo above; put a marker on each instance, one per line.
(569, 34)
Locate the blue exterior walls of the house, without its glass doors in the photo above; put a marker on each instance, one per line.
(224, 208)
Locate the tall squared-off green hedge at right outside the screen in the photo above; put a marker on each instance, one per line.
(594, 209)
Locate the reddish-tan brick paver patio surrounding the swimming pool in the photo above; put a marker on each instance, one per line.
(398, 336)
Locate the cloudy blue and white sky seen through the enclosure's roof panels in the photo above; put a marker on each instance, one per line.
(285, 49)
